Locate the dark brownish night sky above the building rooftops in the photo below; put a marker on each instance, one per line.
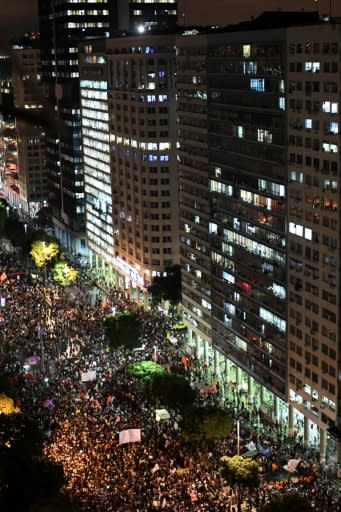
(19, 16)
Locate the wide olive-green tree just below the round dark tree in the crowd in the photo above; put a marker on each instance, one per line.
(210, 423)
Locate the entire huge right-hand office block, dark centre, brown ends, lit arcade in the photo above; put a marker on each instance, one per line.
(270, 92)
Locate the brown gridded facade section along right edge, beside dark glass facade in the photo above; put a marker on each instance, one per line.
(313, 322)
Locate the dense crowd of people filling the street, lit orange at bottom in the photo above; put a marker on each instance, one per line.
(52, 339)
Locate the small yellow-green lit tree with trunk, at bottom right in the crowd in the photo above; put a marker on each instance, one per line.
(241, 474)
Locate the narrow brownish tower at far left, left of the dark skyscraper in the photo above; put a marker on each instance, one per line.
(29, 93)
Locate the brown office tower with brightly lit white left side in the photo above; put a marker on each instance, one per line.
(130, 167)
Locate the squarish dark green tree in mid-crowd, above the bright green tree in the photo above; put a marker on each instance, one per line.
(122, 330)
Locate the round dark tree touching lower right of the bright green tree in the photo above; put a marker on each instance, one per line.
(173, 390)
